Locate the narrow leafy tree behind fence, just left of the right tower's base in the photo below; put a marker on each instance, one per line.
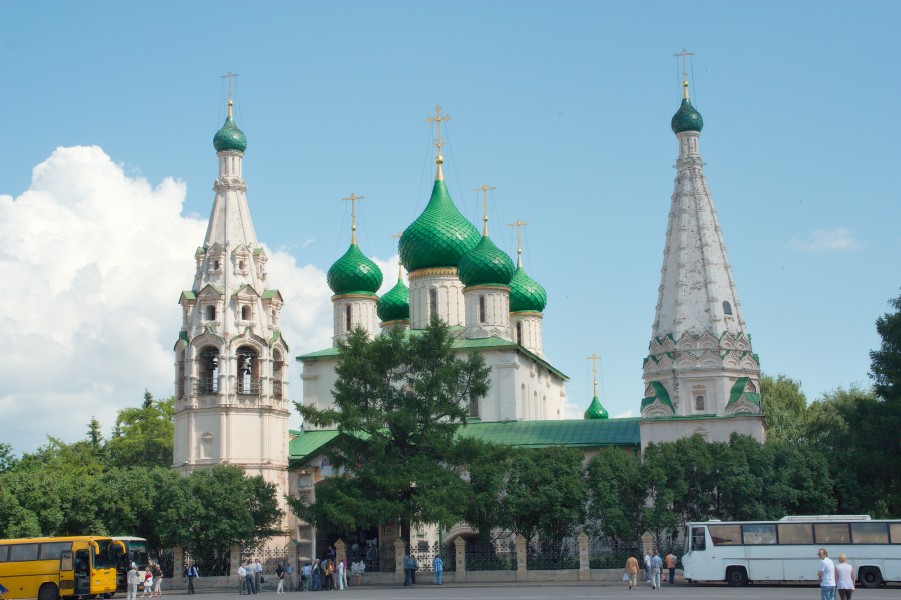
(617, 495)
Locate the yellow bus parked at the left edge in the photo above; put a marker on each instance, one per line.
(50, 568)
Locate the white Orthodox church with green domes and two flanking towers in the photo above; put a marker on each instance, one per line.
(232, 405)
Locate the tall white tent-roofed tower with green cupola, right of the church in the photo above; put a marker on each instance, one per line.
(700, 361)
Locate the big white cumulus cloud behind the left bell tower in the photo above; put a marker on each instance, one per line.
(93, 261)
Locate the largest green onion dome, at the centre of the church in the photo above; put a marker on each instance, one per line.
(439, 237)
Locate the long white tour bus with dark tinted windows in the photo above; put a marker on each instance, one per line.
(739, 552)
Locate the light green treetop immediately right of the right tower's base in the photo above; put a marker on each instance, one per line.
(784, 409)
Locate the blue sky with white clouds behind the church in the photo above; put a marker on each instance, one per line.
(563, 106)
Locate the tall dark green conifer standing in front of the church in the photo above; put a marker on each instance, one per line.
(398, 402)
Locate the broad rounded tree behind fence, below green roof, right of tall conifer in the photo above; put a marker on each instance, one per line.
(546, 492)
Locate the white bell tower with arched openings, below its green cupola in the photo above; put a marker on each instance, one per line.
(231, 363)
